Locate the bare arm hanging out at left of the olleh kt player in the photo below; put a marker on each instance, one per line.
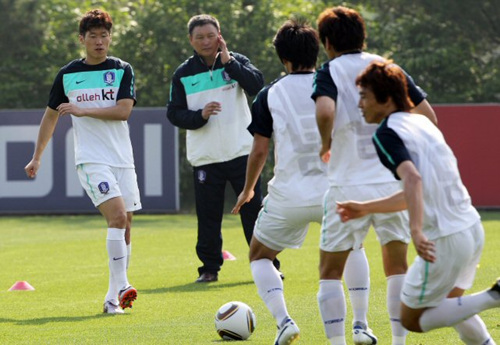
(47, 126)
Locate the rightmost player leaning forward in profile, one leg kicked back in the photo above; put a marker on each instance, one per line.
(443, 222)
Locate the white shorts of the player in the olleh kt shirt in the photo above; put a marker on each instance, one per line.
(103, 182)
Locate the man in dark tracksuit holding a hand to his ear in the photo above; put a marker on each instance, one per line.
(207, 98)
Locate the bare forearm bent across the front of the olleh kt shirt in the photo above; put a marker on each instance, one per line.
(119, 112)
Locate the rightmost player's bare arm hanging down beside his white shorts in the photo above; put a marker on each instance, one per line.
(413, 193)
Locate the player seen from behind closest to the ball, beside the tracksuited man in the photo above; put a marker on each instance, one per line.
(284, 110)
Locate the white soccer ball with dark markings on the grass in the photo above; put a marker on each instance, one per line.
(235, 321)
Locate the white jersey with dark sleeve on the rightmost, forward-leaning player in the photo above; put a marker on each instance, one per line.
(447, 204)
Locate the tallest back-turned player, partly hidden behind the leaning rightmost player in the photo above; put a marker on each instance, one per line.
(354, 172)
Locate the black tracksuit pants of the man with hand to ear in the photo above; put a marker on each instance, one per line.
(209, 186)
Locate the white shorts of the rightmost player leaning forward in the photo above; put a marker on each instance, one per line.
(457, 255)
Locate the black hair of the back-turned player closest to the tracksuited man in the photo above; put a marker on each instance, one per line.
(297, 42)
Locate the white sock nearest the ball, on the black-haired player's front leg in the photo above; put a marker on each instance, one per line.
(270, 287)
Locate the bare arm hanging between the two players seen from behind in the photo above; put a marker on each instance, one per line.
(325, 114)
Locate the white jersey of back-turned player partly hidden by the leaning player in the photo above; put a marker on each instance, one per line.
(353, 158)
